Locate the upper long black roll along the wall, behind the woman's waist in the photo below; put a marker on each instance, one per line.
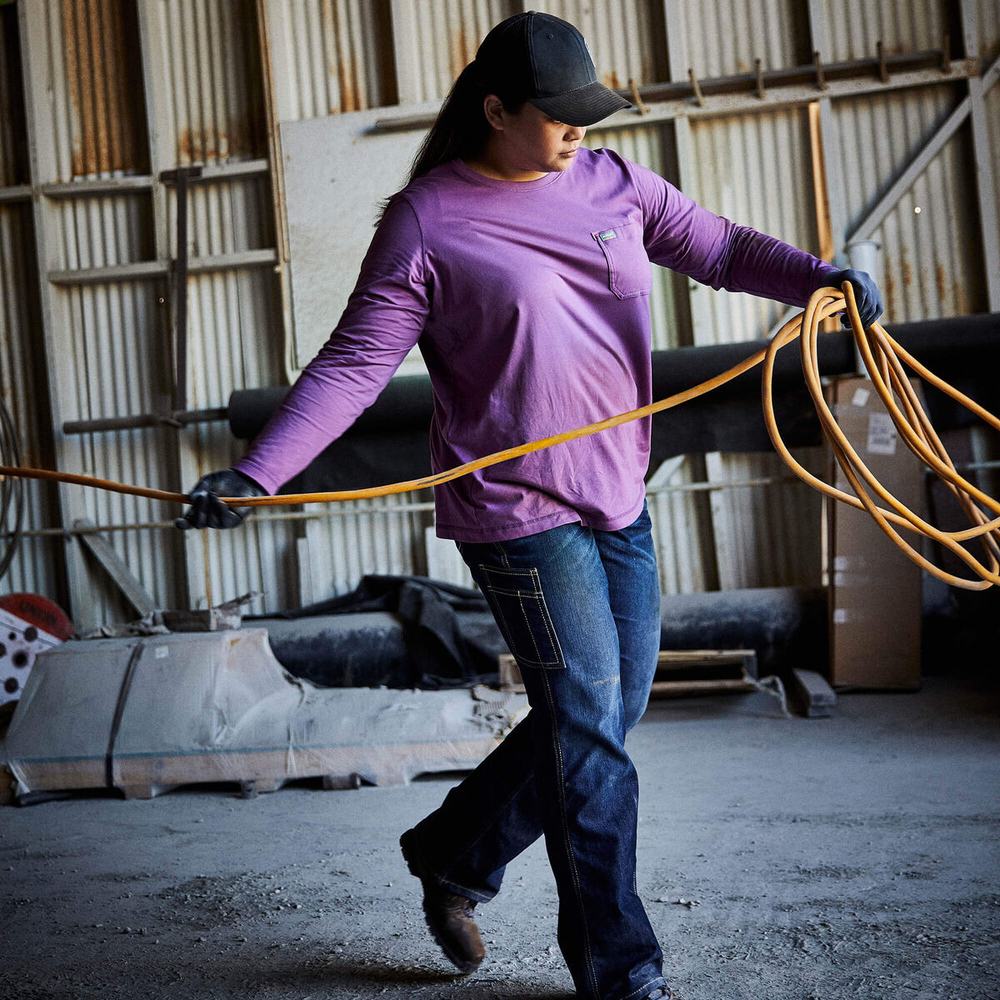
(388, 442)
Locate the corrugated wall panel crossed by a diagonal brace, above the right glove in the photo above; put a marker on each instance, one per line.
(931, 266)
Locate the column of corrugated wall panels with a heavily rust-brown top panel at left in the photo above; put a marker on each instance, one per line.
(107, 351)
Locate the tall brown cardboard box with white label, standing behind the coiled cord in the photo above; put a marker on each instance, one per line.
(874, 589)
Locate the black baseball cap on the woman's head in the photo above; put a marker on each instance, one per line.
(550, 57)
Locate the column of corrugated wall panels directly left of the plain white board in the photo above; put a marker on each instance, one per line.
(207, 99)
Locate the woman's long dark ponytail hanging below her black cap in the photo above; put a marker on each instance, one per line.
(461, 129)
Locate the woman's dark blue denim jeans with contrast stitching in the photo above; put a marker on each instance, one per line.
(580, 611)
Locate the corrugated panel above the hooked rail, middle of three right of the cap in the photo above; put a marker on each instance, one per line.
(727, 36)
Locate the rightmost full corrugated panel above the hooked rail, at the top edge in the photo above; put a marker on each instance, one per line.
(854, 27)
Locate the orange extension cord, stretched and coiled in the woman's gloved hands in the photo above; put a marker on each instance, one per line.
(884, 359)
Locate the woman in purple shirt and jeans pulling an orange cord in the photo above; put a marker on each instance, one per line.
(518, 260)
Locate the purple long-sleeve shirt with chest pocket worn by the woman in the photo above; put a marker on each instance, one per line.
(530, 304)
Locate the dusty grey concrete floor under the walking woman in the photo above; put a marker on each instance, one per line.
(849, 857)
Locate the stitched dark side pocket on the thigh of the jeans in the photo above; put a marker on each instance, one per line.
(523, 616)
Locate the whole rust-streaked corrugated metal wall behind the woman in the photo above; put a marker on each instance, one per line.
(122, 90)
